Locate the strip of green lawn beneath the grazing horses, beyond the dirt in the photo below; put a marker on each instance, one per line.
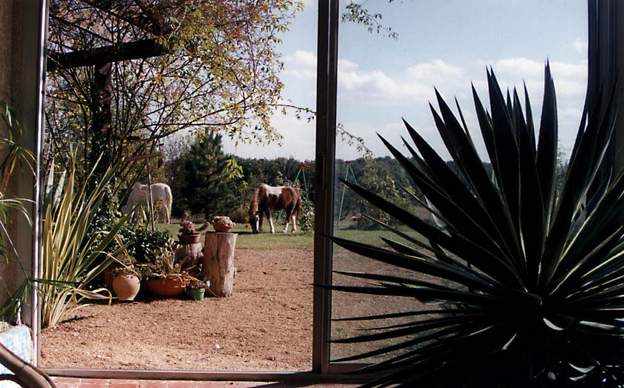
(300, 240)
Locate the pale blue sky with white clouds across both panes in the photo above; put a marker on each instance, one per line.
(445, 44)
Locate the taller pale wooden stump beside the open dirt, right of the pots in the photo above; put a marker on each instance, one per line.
(218, 263)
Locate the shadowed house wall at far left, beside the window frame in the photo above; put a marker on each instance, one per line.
(20, 86)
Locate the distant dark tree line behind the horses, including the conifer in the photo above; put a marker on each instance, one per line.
(206, 182)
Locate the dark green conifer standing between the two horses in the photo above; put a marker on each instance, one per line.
(209, 181)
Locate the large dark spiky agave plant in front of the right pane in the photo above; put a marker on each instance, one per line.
(532, 276)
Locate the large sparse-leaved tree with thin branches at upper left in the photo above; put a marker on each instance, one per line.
(124, 74)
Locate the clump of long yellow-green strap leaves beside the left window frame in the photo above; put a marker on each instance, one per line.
(73, 255)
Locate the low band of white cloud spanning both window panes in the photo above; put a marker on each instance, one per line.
(373, 99)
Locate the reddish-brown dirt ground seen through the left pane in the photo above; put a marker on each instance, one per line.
(265, 325)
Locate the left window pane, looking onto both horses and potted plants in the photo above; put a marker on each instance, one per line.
(212, 98)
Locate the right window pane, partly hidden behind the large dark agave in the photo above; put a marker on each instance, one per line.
(384, 77)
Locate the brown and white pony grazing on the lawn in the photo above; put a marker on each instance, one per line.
(267, 198)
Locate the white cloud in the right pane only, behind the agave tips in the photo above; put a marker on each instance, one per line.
(391, 95)
